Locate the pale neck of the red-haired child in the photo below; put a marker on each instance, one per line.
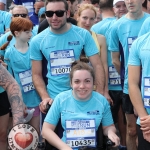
(21, 46)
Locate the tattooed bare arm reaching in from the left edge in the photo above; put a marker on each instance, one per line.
(14, 95)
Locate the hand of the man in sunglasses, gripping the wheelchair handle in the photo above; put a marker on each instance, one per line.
(43, 104)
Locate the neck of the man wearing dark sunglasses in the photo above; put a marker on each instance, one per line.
(63, 29)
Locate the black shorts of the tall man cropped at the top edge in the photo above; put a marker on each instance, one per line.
(126, 104)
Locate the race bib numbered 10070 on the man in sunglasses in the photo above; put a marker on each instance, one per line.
(60, 62)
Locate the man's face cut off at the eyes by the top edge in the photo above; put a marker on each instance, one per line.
(134, 6)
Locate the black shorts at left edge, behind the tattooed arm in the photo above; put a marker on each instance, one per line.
(4, 104)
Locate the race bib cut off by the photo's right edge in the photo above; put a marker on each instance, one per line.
(147, 92)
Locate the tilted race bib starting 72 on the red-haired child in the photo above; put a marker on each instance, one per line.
(26, 80)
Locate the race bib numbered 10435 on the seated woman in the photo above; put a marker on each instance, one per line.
(80, 133)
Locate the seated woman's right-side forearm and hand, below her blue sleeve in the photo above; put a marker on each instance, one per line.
(110, 131)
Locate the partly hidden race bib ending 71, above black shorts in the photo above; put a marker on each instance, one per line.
(114, 77)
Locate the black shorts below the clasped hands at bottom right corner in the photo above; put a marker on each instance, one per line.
(142, 143)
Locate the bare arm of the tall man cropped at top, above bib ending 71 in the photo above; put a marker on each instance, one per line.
(116, 60)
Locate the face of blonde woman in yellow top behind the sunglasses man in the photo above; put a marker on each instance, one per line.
(86, 19)
